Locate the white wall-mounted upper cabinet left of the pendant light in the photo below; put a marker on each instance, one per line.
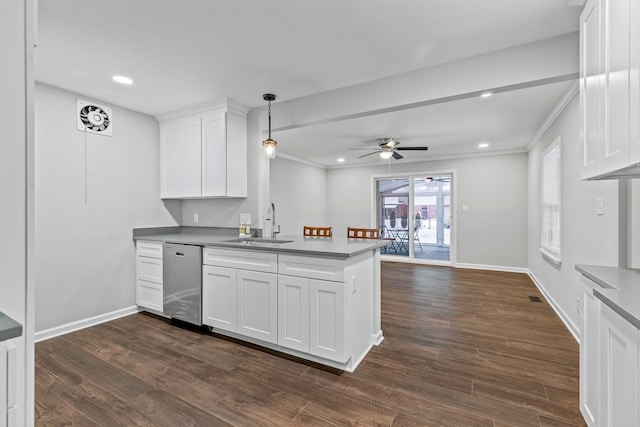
(203, 152)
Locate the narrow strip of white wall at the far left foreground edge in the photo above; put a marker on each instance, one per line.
(16, 209)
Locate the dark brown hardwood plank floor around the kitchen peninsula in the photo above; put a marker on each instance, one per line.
(462, 347)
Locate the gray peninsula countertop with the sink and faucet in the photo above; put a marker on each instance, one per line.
(329, 247)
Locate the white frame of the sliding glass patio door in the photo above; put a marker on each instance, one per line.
(410, 176)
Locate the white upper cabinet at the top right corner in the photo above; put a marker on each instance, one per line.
(610, 88)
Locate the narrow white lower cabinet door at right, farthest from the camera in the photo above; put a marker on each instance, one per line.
(590, 358)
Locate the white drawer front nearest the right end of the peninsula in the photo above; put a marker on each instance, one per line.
(313, 268)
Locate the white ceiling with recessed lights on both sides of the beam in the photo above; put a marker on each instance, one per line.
(186, 52)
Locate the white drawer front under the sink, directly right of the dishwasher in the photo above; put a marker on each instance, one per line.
(241, 259)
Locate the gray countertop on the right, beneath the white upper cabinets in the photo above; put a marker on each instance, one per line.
(620, 289)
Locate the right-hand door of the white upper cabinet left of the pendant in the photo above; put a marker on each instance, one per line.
(214, 154)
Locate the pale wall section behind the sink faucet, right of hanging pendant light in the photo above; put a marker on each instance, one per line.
(299, 192)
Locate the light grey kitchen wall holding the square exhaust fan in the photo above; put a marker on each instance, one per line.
(85, 256)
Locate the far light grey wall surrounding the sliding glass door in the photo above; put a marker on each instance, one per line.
(492, 233)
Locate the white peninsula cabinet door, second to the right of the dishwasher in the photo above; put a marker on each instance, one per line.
(258, 305)
